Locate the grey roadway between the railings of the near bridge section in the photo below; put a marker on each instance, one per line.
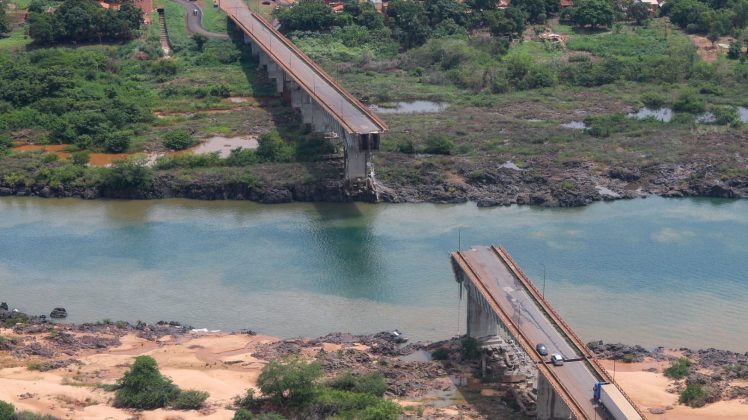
(528, 318)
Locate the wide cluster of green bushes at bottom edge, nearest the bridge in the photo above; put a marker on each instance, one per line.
(294, 386)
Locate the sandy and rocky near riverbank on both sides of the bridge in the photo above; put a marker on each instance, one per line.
(63, 369)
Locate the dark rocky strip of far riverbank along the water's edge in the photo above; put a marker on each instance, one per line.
(404, 179)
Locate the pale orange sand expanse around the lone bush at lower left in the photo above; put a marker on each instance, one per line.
(218, 363)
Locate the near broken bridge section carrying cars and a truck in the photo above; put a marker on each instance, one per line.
(503, 302)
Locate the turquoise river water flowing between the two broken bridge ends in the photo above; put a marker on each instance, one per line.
(658, 271)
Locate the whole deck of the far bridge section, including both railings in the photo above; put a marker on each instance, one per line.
(344, 107)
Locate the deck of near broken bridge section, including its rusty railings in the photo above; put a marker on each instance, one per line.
(531, 320)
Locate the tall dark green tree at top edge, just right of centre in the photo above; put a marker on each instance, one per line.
(410, 21)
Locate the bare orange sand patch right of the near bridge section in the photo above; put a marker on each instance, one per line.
(649, 390)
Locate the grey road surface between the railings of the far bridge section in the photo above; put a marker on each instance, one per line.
(311, 79)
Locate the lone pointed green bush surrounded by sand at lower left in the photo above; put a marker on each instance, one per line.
(144, 387)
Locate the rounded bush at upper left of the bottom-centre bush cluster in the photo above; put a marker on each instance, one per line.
(290, 382)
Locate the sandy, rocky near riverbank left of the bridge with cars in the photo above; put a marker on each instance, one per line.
(62, 369)
